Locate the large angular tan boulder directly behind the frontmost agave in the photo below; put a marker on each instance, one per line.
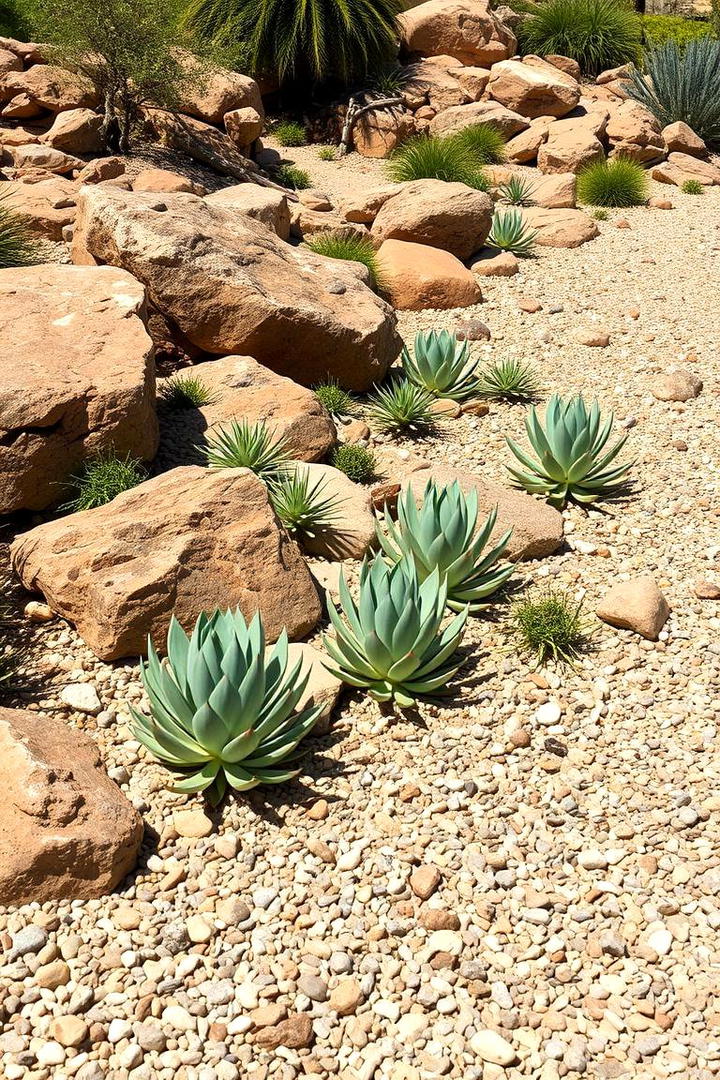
(187, 542)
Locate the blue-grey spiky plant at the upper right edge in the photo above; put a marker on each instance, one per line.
(684, 85)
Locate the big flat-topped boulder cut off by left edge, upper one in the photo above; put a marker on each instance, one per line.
(78, 377)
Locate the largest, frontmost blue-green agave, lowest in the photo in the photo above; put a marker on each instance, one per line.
(223, 712)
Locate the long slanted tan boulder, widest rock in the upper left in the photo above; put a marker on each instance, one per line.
(232, 287)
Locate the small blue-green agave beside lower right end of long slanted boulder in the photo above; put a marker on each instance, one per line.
(442, 366)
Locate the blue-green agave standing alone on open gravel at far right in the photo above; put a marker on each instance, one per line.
(572, 458)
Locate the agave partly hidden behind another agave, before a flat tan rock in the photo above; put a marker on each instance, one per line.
(441, 536)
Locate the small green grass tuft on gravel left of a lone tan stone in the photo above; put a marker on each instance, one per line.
(550, 626)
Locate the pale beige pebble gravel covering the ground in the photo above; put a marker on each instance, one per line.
(563, 826)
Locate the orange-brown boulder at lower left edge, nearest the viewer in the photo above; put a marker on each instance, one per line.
(66, 830)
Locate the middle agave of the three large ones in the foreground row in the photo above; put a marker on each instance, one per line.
(392, 642)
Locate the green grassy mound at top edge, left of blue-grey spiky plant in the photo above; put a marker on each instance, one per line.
(599, 34)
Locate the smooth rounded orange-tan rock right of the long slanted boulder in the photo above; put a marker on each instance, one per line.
(417, 278)
